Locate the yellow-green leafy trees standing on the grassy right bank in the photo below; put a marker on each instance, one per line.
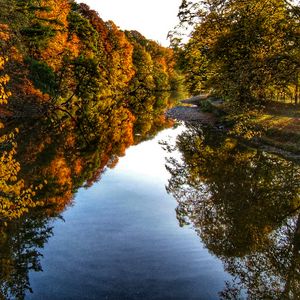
(243, 51)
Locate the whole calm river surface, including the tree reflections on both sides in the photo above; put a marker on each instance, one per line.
(188, 214)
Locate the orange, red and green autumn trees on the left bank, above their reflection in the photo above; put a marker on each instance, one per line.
(63, 56)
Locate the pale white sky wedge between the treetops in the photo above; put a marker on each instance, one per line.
(152, 18)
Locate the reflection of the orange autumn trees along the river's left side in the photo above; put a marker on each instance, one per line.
(52, 158)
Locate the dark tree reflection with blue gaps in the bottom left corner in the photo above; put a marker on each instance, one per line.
(20, 246)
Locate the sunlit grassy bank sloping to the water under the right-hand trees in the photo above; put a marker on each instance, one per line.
(275, 127)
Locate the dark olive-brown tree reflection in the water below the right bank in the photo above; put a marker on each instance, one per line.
(244, 205)
